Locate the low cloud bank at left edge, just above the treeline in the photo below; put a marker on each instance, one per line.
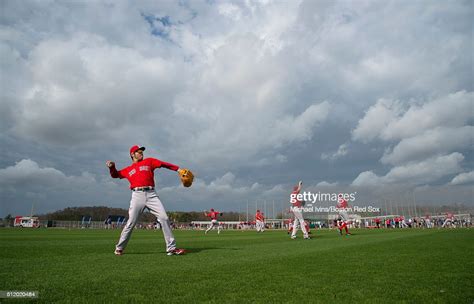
(49, 189)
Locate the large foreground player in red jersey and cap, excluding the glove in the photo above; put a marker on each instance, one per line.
(140, 174)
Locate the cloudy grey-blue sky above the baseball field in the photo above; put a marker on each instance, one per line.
(349, 96)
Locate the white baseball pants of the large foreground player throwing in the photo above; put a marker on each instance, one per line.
(141, 200)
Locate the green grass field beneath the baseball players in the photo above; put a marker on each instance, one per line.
(371, 266)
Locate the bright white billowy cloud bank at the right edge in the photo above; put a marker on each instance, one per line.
(430, 131)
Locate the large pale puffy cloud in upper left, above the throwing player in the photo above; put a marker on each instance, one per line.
(97, 97)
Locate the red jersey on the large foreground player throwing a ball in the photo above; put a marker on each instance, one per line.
(140, 174)
